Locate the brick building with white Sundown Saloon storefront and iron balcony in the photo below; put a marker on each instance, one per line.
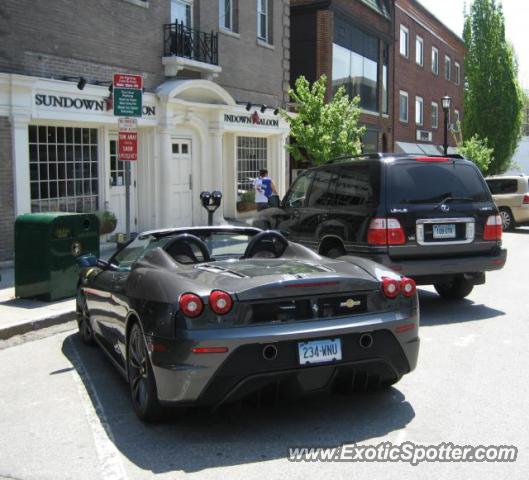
(214, 72)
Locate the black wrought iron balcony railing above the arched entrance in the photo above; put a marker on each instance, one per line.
(182, 41)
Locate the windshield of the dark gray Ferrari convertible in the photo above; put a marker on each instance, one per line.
(228, 244)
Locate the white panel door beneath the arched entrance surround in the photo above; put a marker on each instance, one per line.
(181, 203)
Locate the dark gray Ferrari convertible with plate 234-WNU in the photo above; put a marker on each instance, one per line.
(206, 315)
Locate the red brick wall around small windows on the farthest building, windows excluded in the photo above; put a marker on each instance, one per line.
(419, 80)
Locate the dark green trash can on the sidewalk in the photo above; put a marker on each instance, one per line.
(46, 246)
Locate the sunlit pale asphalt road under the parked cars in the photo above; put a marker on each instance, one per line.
(65, 412)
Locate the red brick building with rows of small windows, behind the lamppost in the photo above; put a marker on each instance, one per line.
(428, 65)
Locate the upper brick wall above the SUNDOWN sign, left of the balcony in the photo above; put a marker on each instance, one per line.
(94, 38)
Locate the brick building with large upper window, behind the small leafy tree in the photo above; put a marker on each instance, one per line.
(351, 42)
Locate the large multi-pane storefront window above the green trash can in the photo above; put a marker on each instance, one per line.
(63, 163)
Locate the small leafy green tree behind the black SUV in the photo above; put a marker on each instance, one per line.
(323, 130)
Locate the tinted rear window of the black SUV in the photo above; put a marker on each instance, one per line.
(415, 183)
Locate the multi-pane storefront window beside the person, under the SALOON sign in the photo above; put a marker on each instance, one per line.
(252, 156)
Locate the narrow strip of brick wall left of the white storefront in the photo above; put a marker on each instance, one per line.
(7, 211)
